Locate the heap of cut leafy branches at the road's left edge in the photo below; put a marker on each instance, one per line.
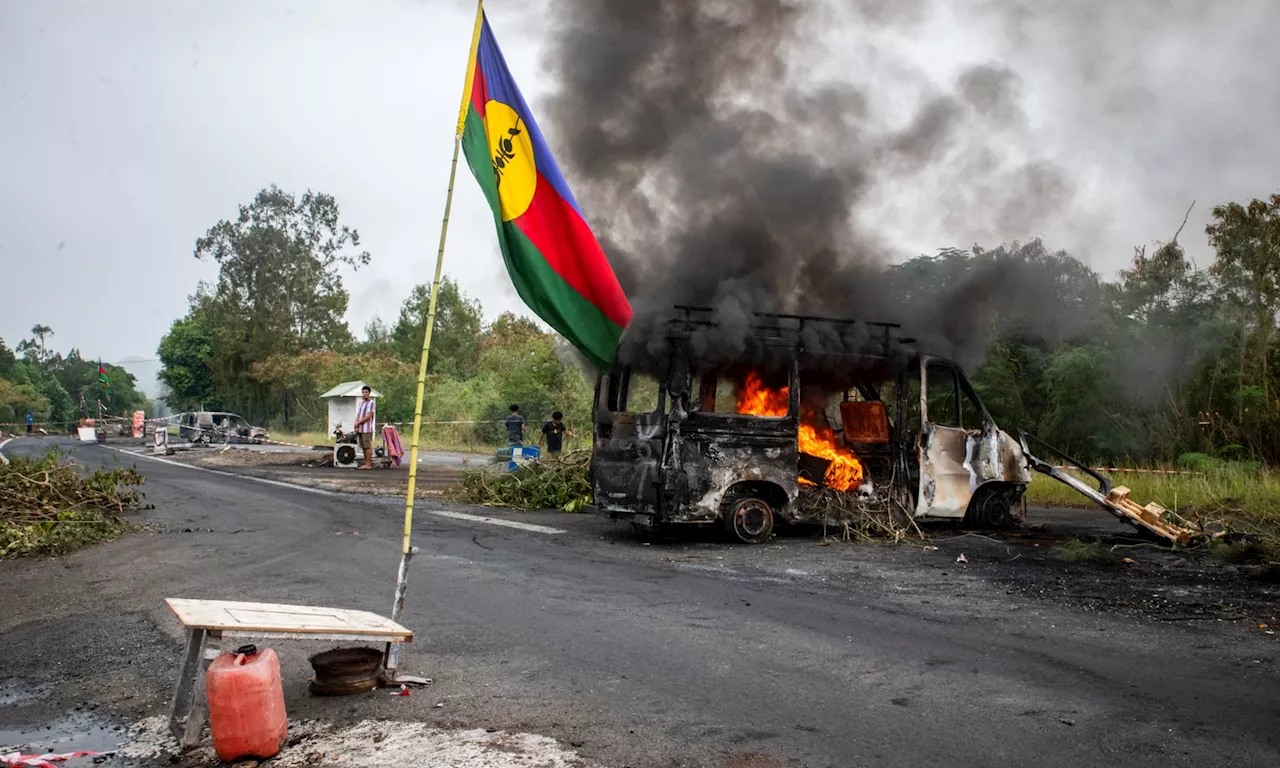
(51, 506)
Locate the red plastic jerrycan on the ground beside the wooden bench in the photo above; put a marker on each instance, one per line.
(246, 705)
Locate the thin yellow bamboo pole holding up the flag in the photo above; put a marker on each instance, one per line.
(408, 550)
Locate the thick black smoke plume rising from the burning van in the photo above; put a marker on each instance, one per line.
(719, 172)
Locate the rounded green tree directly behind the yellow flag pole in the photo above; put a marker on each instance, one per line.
(454, 337)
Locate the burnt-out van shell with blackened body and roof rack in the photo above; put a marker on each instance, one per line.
(684, 464)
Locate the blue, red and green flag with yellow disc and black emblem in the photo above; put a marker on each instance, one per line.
(555, 262)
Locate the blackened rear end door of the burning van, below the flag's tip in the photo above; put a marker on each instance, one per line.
(629, 435)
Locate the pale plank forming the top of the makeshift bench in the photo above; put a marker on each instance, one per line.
(273, 618)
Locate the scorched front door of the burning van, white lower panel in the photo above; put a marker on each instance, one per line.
(947, 473)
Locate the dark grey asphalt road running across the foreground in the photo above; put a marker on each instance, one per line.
(644, 655)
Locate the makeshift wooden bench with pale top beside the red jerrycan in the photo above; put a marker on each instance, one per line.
(208, 623)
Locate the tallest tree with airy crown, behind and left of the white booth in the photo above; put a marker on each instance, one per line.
(280, 289)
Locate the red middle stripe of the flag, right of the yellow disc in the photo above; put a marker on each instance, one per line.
(570, 248)
